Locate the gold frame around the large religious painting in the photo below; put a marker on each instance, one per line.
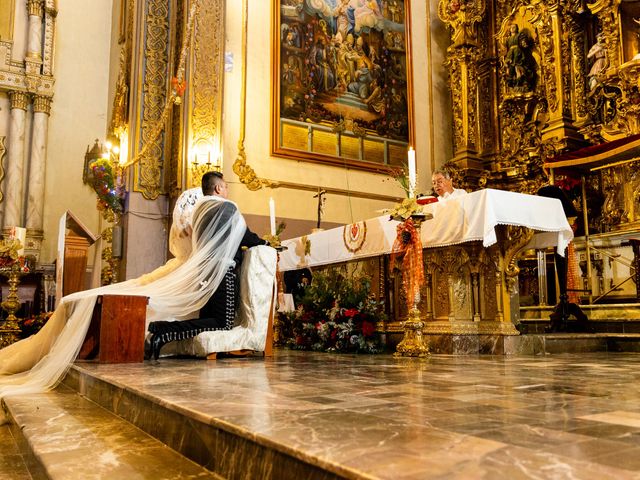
(359, 134)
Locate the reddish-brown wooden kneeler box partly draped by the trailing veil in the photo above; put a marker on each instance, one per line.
(117, 329)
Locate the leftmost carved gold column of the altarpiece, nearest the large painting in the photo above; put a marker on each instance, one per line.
(463, 56)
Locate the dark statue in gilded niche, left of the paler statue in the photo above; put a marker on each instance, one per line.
(521, 65)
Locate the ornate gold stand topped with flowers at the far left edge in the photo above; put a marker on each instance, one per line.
(12, 266)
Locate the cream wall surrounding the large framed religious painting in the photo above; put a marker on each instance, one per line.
(431, 120)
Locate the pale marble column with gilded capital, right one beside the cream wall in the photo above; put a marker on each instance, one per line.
(37, 163)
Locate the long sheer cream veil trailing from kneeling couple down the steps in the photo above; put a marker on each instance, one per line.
(39, 362)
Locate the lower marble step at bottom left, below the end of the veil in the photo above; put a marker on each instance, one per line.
(69, 436)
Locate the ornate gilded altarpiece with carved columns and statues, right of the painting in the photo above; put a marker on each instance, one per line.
(531, 79)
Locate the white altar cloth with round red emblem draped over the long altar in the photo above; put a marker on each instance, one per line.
(464, 219)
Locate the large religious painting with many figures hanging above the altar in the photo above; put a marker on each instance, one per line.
(342, 82)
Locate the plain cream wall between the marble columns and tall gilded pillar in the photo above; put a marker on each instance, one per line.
(78, 112)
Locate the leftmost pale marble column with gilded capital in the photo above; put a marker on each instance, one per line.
(15, 164)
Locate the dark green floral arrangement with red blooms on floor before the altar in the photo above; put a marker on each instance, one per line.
(335, 314)
